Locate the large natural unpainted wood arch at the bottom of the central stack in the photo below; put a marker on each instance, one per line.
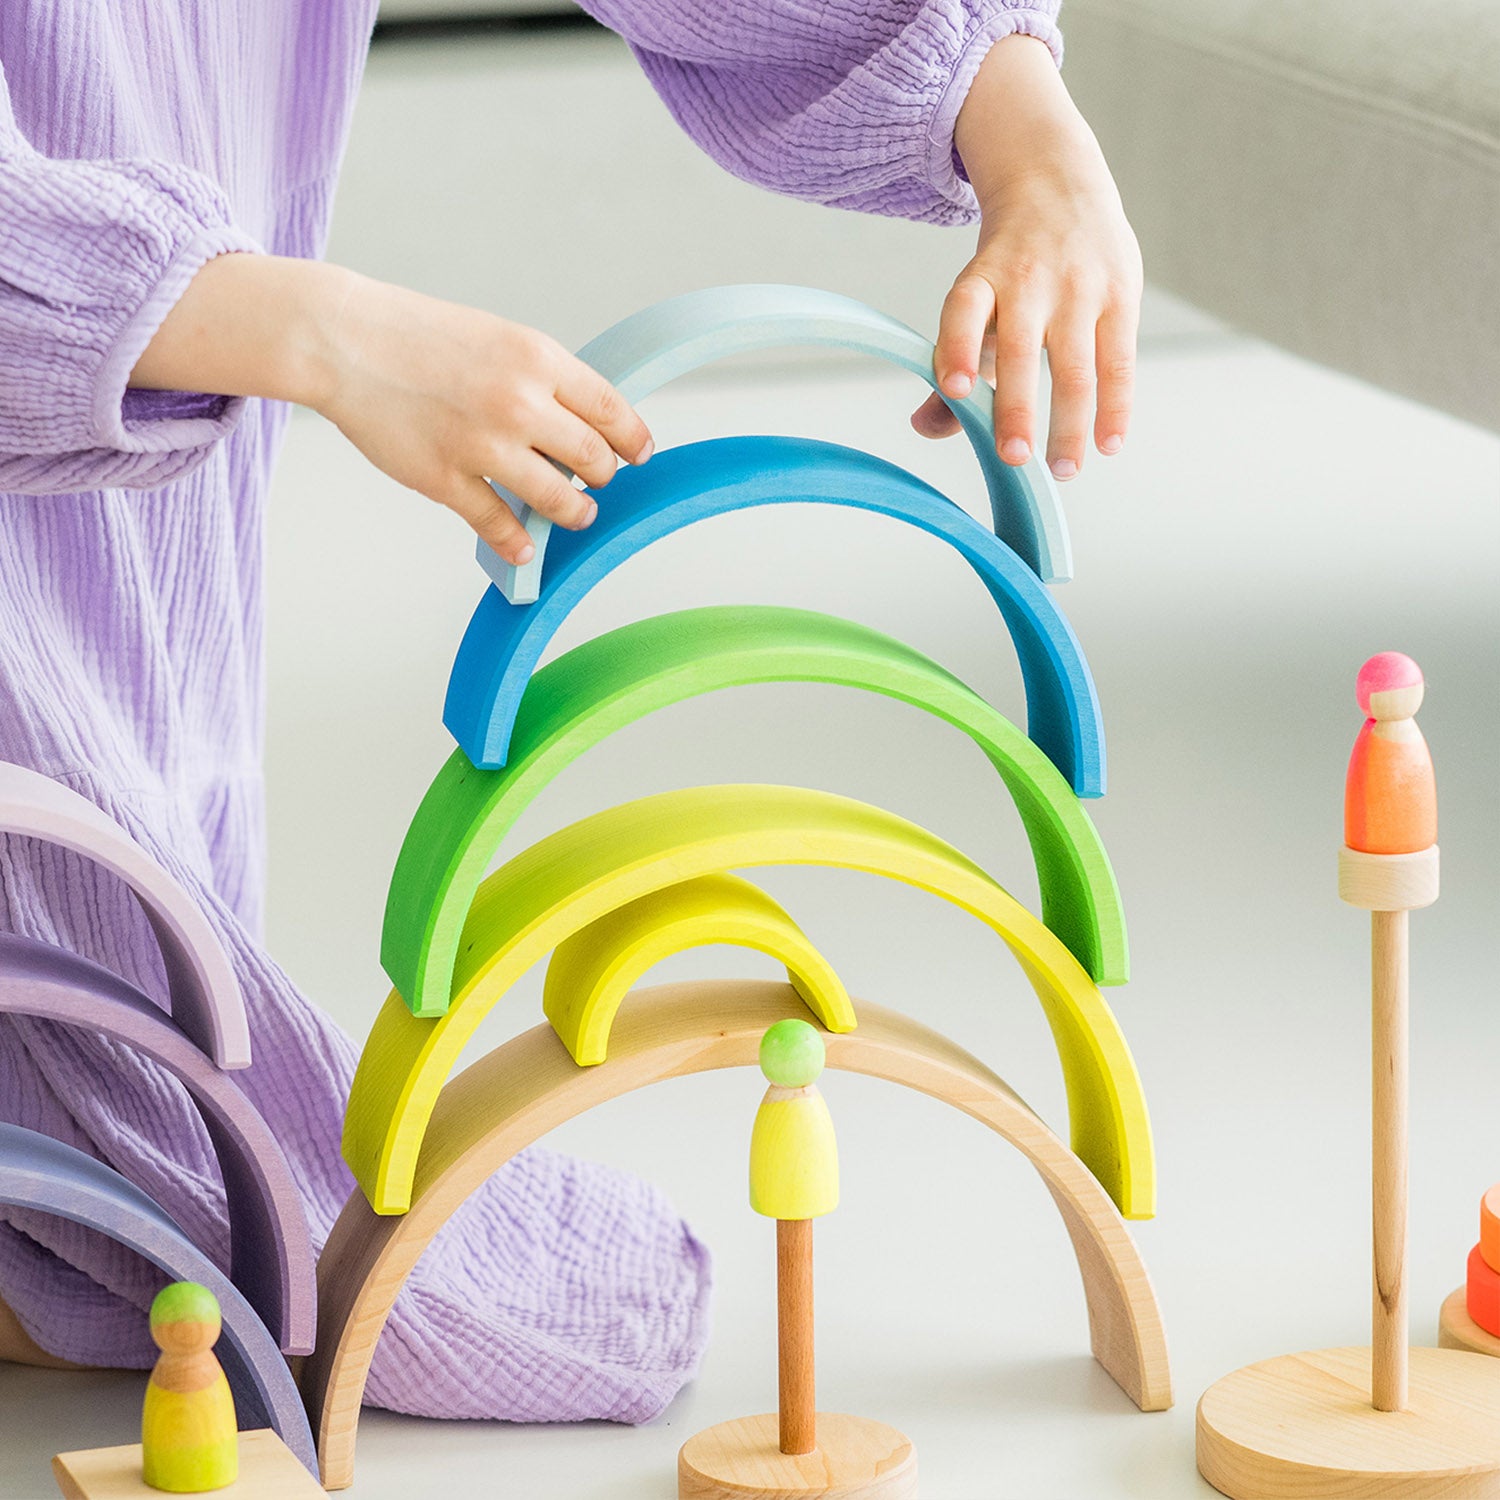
(530, 1085)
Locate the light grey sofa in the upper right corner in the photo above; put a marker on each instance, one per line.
(1321, 173)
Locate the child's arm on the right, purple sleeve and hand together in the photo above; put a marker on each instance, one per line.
(944, 112)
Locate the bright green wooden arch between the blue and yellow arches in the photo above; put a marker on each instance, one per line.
(616, 679)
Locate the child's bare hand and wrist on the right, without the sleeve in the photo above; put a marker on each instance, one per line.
(1057, 268)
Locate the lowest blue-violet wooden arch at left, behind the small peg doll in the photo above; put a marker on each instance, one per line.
(46, 1175)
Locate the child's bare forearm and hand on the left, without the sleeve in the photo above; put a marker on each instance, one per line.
(437, 395)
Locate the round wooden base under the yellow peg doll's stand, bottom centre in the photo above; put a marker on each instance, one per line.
(856, 1460)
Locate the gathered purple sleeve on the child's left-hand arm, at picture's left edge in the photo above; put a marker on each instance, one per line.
(92, 257)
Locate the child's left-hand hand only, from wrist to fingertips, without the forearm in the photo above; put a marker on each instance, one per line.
(443, 397)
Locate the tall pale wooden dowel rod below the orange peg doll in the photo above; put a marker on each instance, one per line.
(1390, 1055)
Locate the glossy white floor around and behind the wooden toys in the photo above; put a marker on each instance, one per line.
(1267, 529)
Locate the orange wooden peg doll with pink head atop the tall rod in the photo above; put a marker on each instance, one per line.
(1391, 794)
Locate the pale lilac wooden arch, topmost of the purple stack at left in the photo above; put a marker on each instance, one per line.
(205, 994)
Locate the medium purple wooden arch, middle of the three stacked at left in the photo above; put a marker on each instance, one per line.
(271, 1247)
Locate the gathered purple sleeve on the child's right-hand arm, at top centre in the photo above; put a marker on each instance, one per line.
(848, 103)
